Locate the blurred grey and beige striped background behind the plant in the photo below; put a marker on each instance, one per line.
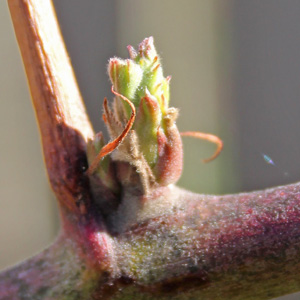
(235, 69)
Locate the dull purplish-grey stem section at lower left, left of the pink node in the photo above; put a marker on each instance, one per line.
(58, 272)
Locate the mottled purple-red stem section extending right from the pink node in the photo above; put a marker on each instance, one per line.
(243, 246)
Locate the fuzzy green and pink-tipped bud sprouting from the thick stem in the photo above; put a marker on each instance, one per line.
(149, 143)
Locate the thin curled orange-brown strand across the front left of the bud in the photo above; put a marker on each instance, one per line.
(108, 148)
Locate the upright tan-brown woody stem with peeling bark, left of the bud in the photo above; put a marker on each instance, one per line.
(62, 119)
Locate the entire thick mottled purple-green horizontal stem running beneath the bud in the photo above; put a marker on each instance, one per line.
(243, 246)
